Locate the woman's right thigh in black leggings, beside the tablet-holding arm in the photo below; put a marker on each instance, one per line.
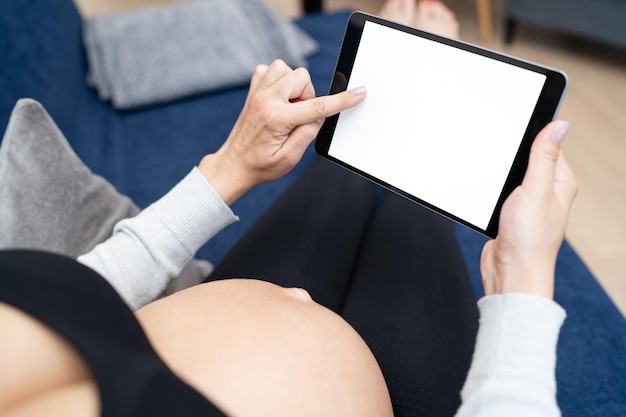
(412, 301)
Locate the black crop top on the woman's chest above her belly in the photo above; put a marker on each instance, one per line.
(82, 307)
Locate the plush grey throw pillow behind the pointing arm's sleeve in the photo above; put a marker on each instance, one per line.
(51, 201)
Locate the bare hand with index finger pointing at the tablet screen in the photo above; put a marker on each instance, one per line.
(280, 118)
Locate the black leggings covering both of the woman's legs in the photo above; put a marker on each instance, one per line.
(392, 269)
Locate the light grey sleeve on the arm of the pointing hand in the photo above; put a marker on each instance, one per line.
(149, 250)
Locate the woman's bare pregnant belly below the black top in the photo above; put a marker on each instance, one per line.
(257, 349)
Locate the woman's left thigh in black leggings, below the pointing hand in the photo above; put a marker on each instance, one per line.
(309, 238)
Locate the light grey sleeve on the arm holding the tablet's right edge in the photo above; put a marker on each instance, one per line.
(513, 369)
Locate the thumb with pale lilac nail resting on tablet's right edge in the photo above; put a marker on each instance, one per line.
(544, 155)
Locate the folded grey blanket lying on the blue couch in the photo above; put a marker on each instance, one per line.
(153, 55)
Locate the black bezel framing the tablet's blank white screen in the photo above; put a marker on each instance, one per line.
(545, 110)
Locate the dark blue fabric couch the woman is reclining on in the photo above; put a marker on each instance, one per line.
(144, 153)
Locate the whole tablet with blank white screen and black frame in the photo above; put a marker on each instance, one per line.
(445, 124)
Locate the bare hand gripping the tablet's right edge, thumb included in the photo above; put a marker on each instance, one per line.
(522, 258)
